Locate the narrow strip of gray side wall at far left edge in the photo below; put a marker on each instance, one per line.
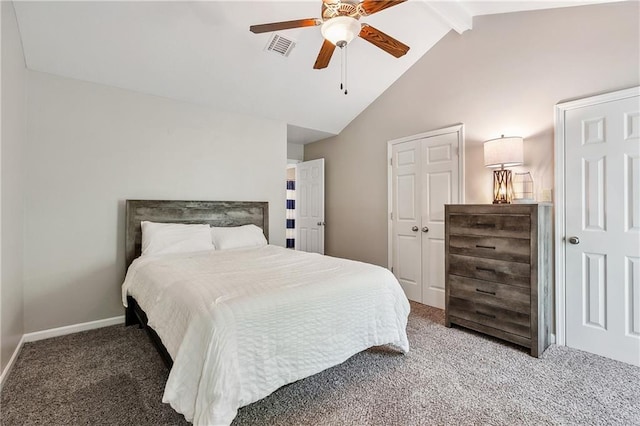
(12, 164)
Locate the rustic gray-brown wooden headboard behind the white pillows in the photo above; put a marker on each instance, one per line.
(214, 213)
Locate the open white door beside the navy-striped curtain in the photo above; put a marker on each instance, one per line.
(310, 206)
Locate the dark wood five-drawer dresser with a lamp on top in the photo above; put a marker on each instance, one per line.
(499, 271)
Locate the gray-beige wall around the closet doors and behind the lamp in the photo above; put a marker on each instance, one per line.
(503, 76)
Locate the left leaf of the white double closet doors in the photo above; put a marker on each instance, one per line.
(406, 217)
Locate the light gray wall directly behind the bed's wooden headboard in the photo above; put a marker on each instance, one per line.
(89, 148)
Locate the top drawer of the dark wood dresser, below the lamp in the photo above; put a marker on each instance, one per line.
(503, 225)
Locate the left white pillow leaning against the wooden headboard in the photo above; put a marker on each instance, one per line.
(164, 238)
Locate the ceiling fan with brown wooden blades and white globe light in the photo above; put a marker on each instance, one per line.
(340, 24)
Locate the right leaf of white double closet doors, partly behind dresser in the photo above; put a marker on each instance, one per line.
(439, 184)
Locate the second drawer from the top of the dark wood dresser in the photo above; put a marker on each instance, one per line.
(514, 249)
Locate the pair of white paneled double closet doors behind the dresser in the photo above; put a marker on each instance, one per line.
(425, 174)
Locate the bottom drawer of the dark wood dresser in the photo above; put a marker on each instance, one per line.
(491, 316)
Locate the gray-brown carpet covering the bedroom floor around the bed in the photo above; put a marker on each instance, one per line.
(113, 376)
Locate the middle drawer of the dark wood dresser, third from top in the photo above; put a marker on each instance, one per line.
(500, 271)
